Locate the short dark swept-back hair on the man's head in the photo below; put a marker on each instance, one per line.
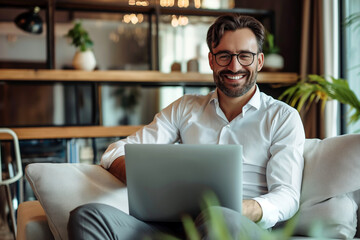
(234, 22)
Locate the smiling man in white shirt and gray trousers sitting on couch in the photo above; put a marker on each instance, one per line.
(270, 131)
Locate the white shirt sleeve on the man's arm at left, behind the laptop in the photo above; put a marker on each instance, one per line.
(162, 130)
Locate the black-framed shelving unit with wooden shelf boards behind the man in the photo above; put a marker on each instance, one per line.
(98, 78)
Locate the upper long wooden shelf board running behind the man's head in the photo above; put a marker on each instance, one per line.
(140, 77)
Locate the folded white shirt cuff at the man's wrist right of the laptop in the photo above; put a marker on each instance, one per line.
(270, 213)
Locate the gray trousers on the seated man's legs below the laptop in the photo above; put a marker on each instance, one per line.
(100, 221)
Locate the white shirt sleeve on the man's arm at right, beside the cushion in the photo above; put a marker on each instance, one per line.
(284, 171)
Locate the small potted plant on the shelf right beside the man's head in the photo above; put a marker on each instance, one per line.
(273, 60)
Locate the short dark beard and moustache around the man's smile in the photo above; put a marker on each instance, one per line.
(235, 90)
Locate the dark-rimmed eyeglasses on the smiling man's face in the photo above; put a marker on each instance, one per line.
(224, 59)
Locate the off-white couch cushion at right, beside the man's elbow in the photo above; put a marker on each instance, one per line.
(331, 176)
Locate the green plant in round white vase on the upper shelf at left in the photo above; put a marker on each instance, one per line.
(84, 58)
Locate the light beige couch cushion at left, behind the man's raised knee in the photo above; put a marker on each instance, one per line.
(62, 187)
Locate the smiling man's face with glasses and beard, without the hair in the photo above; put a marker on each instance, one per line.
(231, 79)
